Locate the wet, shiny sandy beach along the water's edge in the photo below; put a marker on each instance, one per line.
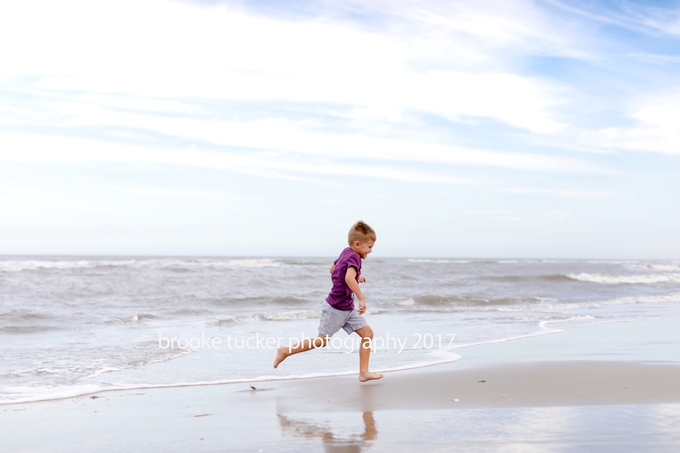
(608, 387)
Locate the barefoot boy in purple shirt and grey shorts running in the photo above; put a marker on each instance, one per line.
(338, 310)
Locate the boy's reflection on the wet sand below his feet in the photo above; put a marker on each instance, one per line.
(353, 443)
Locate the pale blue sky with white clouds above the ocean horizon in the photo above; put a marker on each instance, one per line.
(501, 128)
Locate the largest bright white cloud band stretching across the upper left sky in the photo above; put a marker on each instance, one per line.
(224, 53)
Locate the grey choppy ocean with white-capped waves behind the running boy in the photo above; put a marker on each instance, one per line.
(79, 325)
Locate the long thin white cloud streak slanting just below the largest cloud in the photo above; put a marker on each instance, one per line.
(273, 134)
